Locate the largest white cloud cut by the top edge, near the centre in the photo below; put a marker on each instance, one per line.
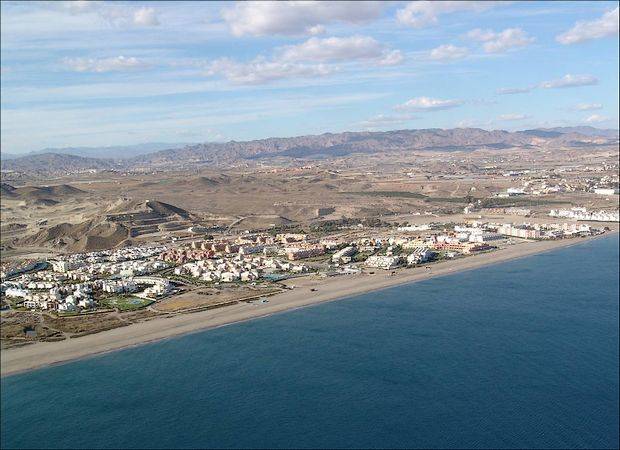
(295, 17)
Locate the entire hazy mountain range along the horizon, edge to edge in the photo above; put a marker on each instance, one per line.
(322, 146)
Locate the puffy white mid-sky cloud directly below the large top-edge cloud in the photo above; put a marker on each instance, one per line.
(341, 49)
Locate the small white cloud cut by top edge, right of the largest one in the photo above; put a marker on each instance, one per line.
(424, 13)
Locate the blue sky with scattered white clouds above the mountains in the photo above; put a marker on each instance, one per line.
(119, 73)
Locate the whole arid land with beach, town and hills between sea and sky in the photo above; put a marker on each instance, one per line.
(97, 260)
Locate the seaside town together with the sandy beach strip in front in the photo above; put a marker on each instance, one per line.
(69, 297)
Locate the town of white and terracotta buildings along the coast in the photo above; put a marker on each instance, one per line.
(138, 276)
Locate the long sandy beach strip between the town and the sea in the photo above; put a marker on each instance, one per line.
(42, 354)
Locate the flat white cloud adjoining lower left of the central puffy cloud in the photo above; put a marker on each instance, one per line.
(261, 71)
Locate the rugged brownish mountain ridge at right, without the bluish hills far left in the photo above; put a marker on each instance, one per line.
(342, 144)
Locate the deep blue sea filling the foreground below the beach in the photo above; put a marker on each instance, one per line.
(521, 354)
